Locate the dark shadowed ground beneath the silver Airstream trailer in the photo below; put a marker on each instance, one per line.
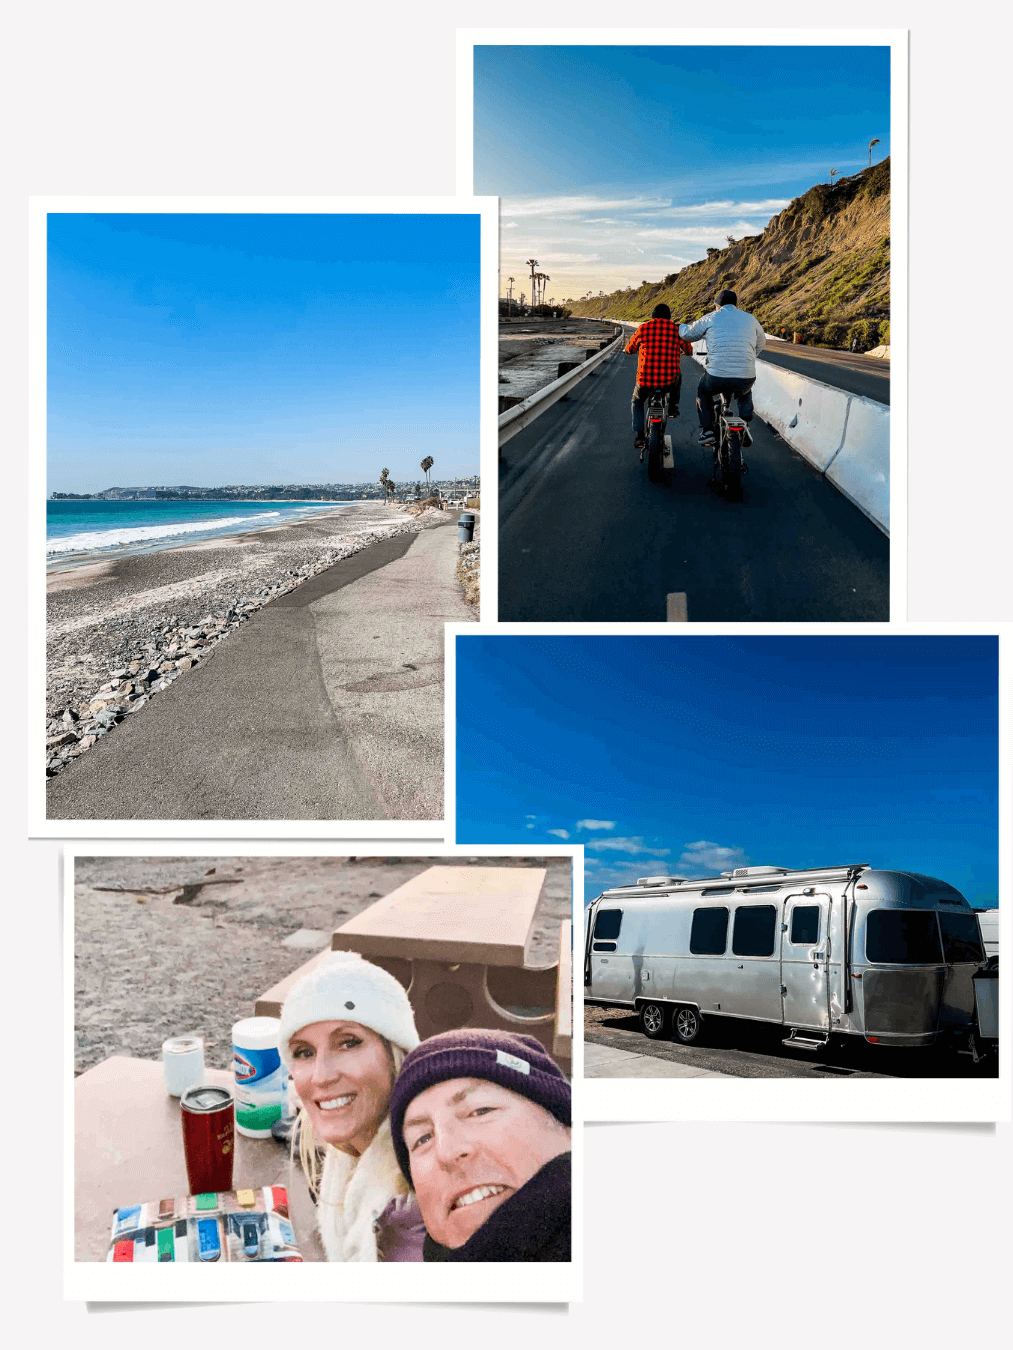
(754, 1051)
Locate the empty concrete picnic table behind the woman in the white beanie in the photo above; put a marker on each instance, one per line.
(454, 938)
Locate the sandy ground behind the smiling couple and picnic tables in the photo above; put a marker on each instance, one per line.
(155, 961)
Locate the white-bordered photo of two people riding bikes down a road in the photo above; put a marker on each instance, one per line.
(699, 321)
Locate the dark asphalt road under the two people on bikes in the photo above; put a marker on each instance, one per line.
(586, 537)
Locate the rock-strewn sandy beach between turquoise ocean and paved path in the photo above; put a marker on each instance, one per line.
(120, 632)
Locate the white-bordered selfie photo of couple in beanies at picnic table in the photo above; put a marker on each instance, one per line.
(314, 1059)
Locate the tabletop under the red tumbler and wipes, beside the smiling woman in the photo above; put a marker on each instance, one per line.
(129, 1150)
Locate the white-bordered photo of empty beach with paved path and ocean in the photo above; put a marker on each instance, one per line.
(263, 503)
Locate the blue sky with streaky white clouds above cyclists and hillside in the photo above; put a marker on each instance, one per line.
(621, 165)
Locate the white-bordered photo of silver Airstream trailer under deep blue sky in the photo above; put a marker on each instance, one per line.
(795, 858)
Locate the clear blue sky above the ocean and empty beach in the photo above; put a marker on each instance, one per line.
(261, 349)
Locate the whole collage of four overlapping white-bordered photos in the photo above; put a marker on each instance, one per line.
(410, 866)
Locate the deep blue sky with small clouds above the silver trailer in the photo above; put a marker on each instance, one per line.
(692, 755)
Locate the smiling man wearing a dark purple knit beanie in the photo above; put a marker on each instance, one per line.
(482, 1129)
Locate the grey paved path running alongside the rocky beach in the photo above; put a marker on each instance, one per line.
(326, 705)
